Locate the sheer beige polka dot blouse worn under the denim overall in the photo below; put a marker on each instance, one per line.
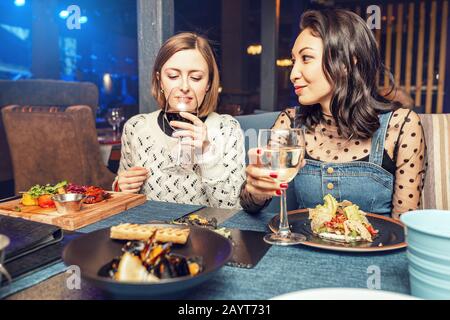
(405, 144)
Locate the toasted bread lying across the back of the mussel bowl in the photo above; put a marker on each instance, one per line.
(129, 231)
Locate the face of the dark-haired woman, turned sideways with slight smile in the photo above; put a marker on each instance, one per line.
(310, 84)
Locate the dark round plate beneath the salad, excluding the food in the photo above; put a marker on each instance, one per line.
(391, 234)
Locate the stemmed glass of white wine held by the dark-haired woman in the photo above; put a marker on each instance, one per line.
(283, 151)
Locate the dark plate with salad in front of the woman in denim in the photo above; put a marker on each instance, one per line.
(343, 227)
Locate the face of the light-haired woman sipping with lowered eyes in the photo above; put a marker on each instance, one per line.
(186, 75)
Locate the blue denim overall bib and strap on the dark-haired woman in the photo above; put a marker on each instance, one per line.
(365, 183)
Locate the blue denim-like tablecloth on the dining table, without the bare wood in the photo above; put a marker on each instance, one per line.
(282, 269)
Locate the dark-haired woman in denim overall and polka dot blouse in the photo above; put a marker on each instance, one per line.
(359, 146)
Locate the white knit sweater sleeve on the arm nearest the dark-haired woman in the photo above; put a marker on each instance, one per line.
(222, 167)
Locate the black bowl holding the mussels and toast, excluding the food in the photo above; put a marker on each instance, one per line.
(93, 251)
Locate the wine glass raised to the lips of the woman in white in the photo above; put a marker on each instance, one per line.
(181, 100)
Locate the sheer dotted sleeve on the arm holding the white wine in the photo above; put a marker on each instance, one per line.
(248, 202)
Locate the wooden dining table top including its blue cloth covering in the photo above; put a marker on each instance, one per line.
(281, 270)
